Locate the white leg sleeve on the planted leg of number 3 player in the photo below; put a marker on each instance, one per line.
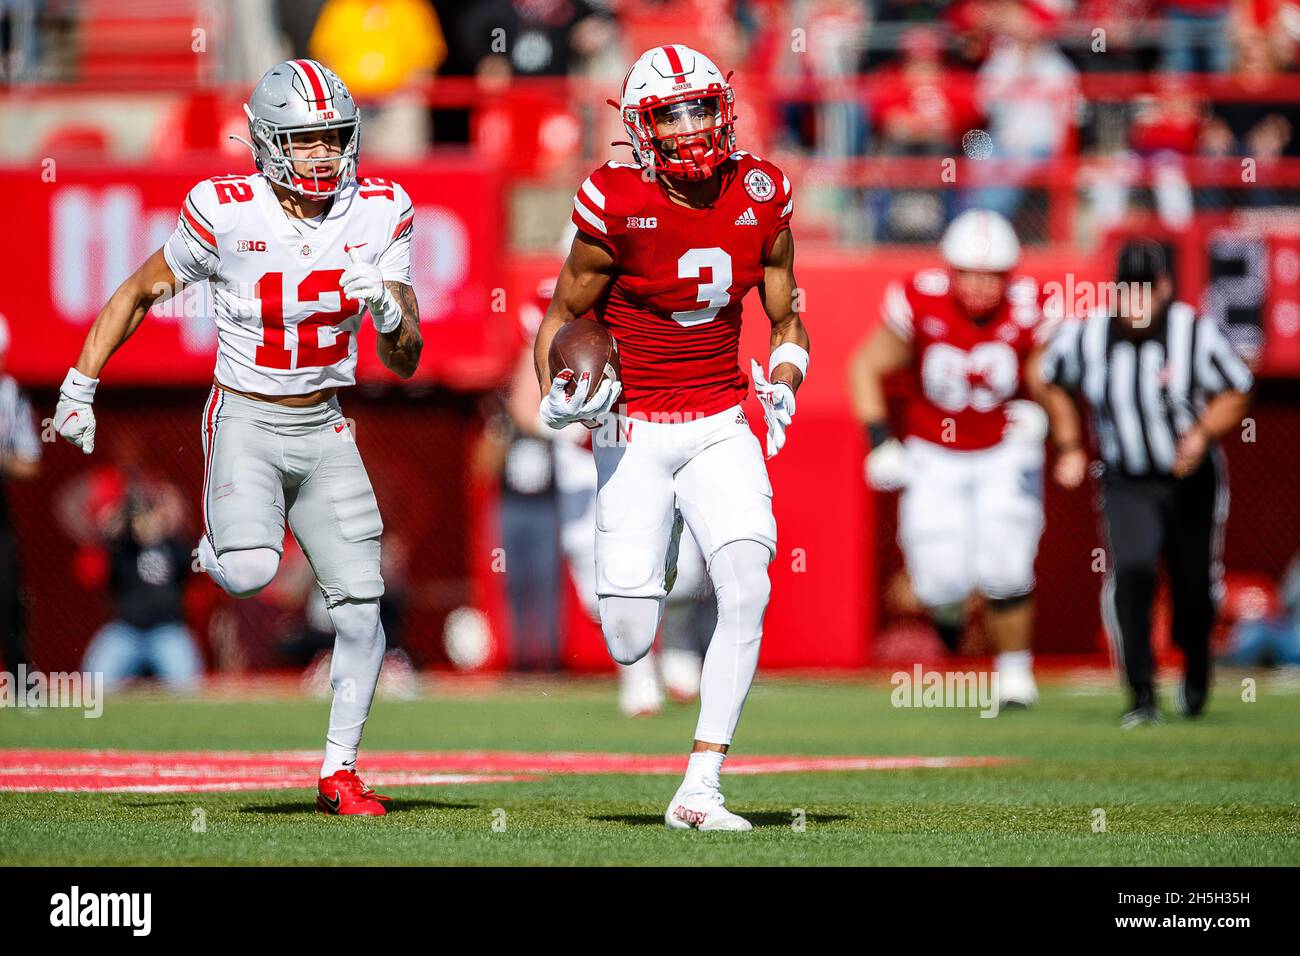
(739, 572)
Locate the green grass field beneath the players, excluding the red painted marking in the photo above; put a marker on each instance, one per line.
(1225, 790)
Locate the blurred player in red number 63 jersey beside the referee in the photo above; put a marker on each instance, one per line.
(972, 509)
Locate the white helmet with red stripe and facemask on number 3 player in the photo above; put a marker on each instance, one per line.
(681, 113)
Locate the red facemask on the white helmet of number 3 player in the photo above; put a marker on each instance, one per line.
(687, 136)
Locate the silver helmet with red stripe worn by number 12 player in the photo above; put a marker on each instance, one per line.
(302, 97)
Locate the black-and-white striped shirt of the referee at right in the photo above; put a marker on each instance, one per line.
(1145, 388)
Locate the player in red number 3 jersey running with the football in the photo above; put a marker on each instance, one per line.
(666, 250)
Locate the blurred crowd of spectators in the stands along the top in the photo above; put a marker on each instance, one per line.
(830, 81)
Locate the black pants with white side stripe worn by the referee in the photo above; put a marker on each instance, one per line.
(1159, 517)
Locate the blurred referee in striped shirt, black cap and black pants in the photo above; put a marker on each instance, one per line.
(1162, 386)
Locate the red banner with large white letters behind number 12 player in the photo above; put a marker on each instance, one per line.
(88, 231)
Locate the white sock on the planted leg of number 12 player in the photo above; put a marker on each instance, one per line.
(354, 673)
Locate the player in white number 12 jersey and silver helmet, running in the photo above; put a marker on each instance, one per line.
(293, 254)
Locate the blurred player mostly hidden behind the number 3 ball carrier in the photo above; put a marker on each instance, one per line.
(690, 615)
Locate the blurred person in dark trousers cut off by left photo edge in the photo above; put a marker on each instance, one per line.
(20, 461)
